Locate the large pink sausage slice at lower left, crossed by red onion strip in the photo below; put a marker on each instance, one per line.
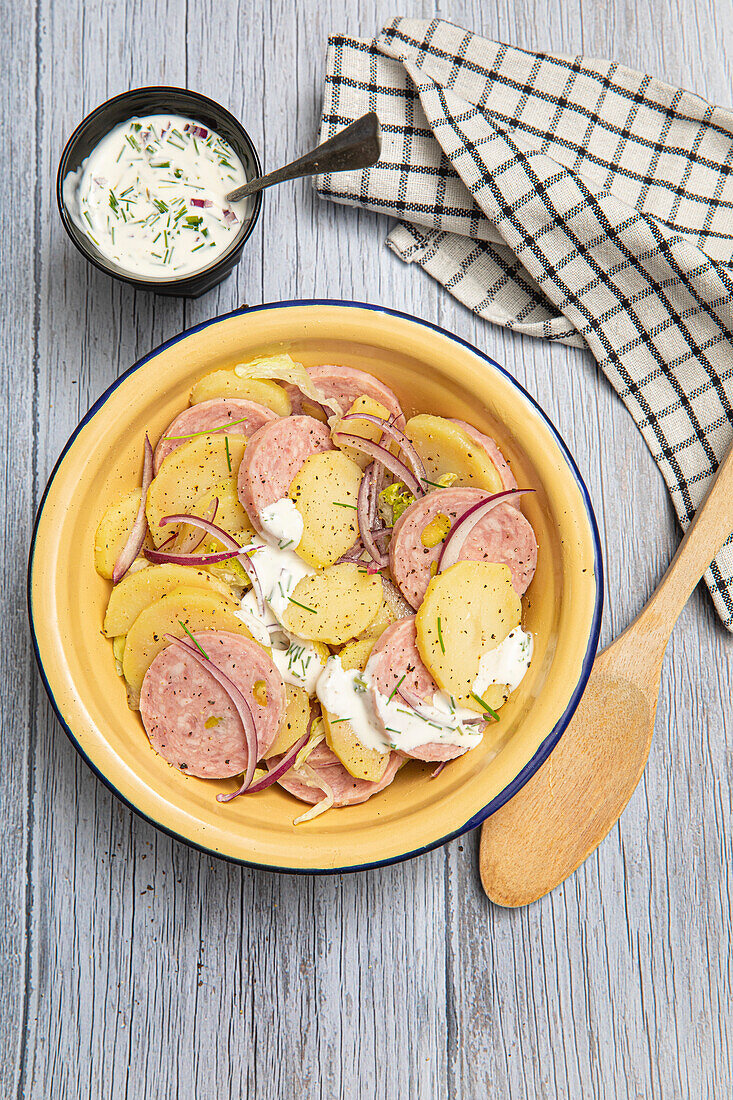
(179, 698)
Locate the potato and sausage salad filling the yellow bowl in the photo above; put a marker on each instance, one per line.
(311, 590)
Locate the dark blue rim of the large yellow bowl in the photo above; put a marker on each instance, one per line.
(546, 746)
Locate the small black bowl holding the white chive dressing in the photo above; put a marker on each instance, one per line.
(160, 101)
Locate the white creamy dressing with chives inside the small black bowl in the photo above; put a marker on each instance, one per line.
(151, 196)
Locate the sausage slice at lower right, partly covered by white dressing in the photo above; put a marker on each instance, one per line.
(396, 656)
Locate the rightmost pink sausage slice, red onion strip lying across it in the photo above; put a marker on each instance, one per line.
(504, 536)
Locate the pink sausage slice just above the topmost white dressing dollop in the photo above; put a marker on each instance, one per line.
(273, 457)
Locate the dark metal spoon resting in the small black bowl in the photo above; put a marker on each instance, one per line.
(358, 147)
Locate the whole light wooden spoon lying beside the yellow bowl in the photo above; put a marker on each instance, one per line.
(554, 823)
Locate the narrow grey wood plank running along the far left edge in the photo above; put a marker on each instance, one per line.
(19, 692)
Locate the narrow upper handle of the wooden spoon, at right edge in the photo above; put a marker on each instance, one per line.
(712, 527)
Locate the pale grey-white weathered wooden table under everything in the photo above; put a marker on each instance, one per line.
(133, 966)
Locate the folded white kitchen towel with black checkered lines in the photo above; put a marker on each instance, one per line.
(571, 200)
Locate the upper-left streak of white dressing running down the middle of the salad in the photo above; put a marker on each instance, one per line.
(279, 570)
